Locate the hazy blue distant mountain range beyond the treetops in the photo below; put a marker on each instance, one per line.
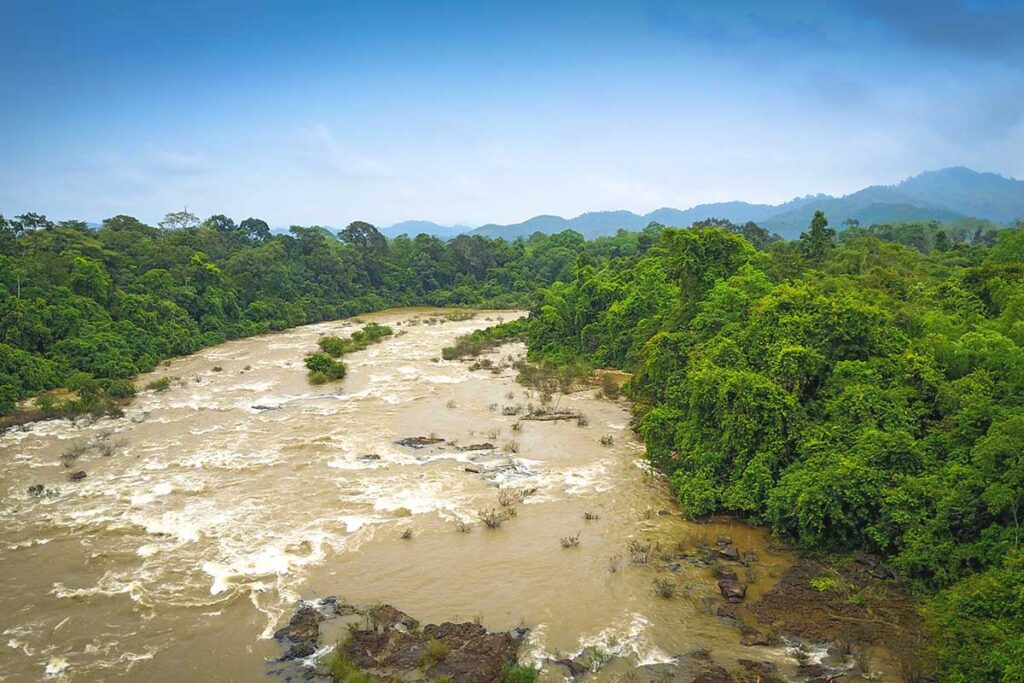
(948, 195)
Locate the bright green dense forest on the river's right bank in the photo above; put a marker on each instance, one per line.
(856, 393)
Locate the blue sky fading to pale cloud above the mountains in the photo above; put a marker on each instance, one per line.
(475, 112)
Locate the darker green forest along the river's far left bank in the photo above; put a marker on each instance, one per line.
(79, 305)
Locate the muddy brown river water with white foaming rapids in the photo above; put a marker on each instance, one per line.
(190, 543)
